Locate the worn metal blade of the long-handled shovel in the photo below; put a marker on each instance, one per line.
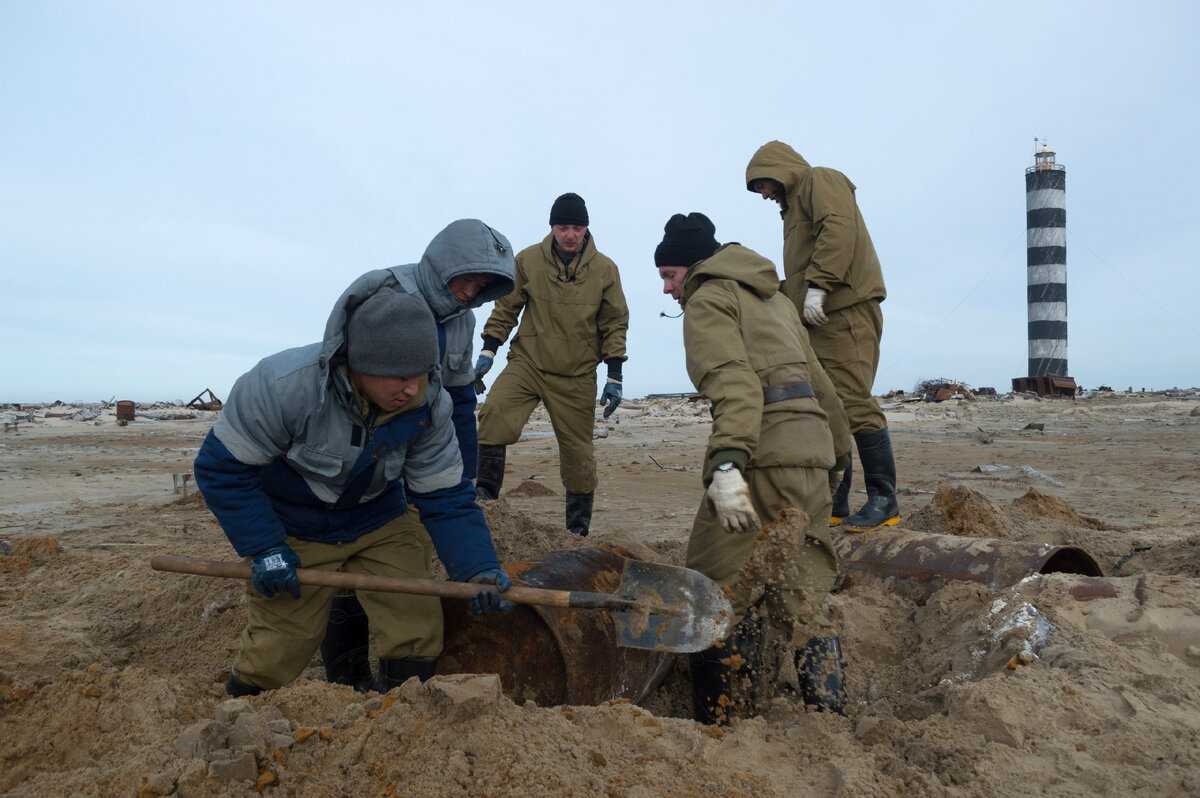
(698, 615)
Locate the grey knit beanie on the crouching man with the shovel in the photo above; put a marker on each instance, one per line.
(393, 335)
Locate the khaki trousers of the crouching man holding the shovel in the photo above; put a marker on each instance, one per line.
(283, 633)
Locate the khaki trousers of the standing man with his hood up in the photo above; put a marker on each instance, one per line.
(849, 349)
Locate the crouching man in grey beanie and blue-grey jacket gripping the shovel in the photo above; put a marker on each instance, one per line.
(315, 461)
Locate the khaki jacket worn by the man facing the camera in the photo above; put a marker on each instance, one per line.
(575, 315)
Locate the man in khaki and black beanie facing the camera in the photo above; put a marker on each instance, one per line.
(575, 317)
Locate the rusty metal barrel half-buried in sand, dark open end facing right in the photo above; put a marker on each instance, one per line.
(923, 562)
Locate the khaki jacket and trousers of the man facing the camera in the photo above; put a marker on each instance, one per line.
(575, 317)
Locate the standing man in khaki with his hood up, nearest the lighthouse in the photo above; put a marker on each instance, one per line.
(835, 279)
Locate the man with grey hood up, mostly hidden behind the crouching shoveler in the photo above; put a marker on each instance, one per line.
(466, 266)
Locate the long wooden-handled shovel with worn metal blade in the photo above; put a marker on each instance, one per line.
(657, 608)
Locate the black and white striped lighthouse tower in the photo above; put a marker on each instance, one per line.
(1046, 223)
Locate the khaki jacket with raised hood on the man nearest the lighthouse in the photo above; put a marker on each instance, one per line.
(826, 243)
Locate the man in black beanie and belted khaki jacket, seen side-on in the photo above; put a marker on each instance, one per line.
(770, 449)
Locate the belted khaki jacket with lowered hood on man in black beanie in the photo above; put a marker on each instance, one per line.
(741, 337)
